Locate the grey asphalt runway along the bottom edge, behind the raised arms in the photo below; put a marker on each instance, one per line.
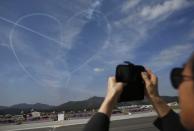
(135, 124)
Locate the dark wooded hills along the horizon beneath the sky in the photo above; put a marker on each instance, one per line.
(75, 106)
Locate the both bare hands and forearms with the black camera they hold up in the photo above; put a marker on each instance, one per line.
(130, 83)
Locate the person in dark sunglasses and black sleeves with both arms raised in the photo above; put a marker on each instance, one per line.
(168, 120)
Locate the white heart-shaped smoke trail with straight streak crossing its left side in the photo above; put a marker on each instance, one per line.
(16, 24)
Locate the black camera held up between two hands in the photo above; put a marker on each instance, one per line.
(131, 75)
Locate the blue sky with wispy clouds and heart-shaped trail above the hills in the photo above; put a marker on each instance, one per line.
(56, 51)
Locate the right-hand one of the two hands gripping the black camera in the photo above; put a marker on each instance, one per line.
(151, 84)
